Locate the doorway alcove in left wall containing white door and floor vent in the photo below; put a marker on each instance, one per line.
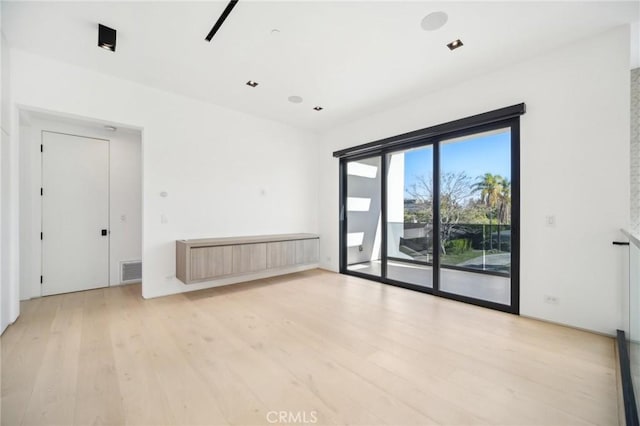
(81, 204)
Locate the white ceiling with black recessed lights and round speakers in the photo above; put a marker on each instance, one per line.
(352, 58)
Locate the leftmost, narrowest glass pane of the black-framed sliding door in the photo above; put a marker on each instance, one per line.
(363, 216)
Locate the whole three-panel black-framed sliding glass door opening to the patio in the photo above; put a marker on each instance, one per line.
(437, 212)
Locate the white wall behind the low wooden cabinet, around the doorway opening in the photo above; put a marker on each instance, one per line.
(226, 173)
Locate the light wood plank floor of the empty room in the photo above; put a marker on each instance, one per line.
(317, 345)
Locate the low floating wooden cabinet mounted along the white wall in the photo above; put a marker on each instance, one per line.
(245, 258)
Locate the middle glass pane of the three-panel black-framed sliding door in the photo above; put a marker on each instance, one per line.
(410, 216)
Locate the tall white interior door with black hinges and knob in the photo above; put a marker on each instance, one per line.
(75, 213)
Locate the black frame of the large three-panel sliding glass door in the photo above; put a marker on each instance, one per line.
(503, 118)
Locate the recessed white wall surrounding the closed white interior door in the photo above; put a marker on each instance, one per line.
(125, 196)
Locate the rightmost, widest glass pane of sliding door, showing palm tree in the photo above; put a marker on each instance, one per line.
(475, 216)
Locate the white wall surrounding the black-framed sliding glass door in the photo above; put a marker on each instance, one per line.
(574, 165)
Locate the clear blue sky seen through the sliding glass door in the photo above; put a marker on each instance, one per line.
(477, 155)
